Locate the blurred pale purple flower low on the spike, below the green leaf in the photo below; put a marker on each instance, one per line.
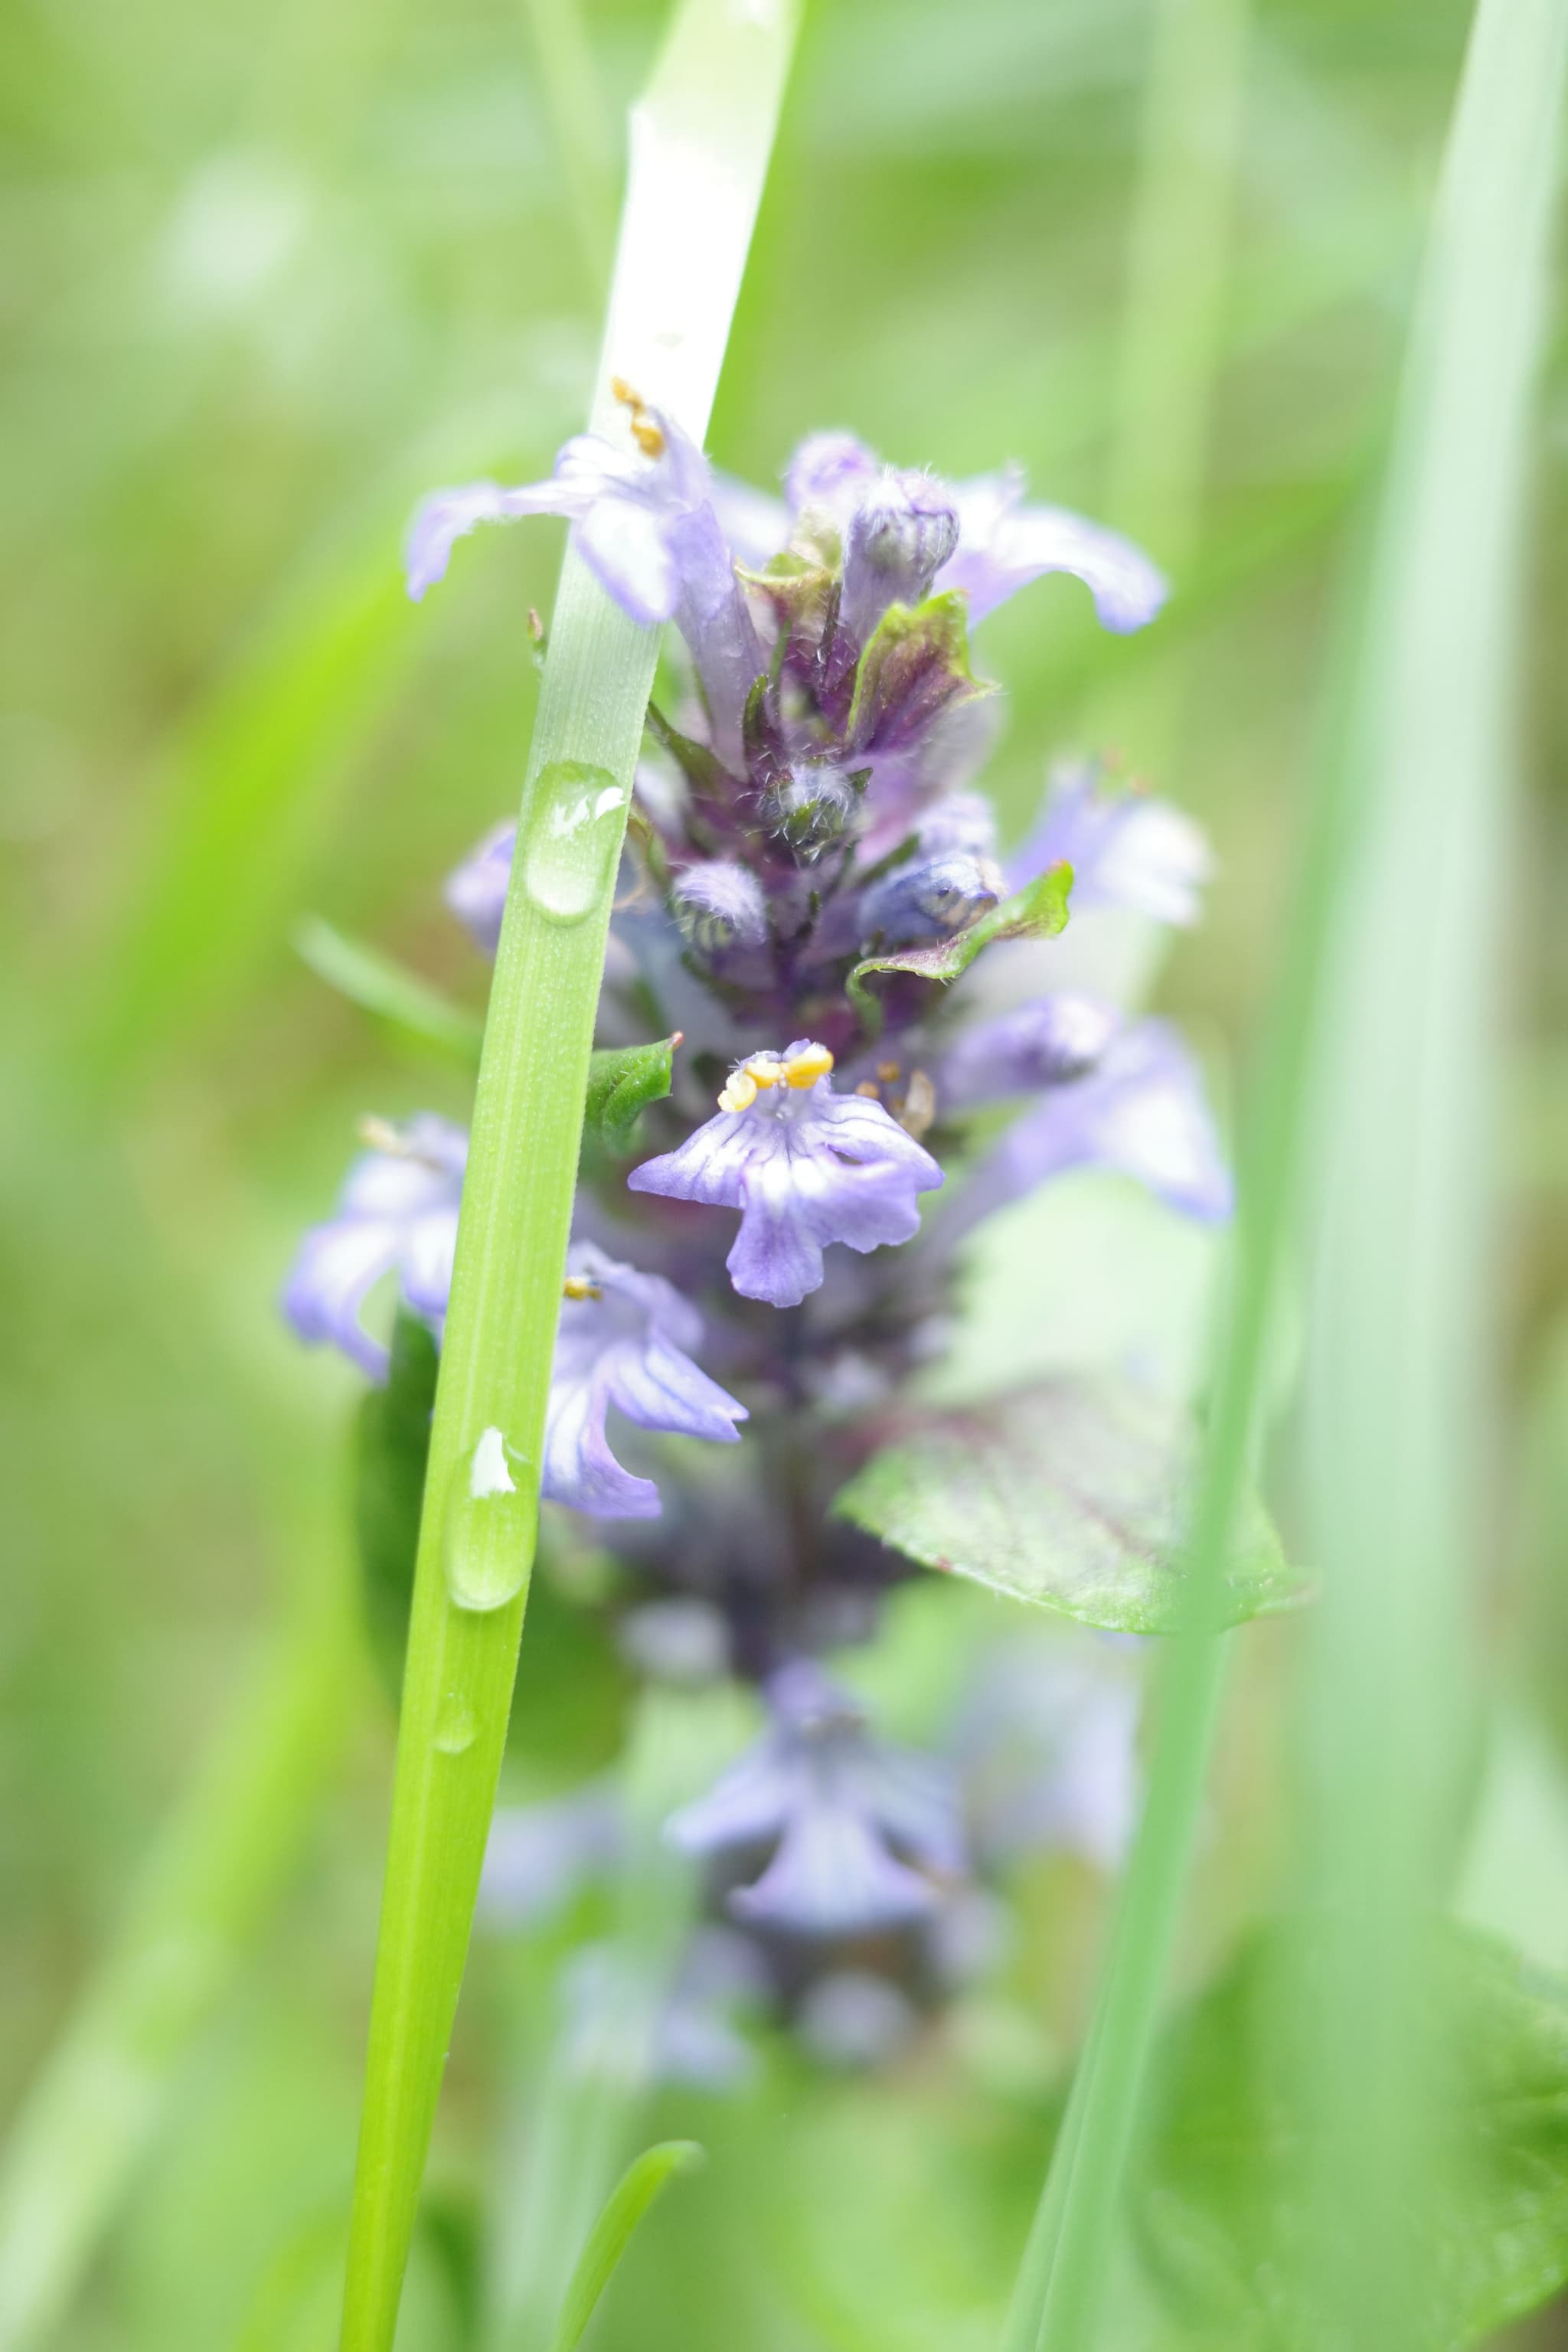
(855, 1826)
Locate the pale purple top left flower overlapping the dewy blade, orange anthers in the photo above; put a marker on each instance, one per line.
(648, 530)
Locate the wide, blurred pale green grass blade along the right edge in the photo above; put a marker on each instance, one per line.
(1407, 1281)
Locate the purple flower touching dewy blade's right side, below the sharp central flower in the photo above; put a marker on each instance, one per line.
(624, 1342)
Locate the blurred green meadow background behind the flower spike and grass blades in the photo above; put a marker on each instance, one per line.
(267, 276)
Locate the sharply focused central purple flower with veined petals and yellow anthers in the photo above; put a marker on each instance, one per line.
(803, 1165)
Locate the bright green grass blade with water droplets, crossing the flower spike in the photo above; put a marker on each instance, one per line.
(699, 154)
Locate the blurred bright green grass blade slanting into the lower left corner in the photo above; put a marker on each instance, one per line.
(208, 1887)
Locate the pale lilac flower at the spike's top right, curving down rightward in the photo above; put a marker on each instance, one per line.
(1007, 544)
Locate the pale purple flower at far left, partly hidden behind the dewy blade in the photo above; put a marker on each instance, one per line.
(398, 1212)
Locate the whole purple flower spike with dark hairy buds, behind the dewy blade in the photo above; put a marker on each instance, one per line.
(815, 893)
